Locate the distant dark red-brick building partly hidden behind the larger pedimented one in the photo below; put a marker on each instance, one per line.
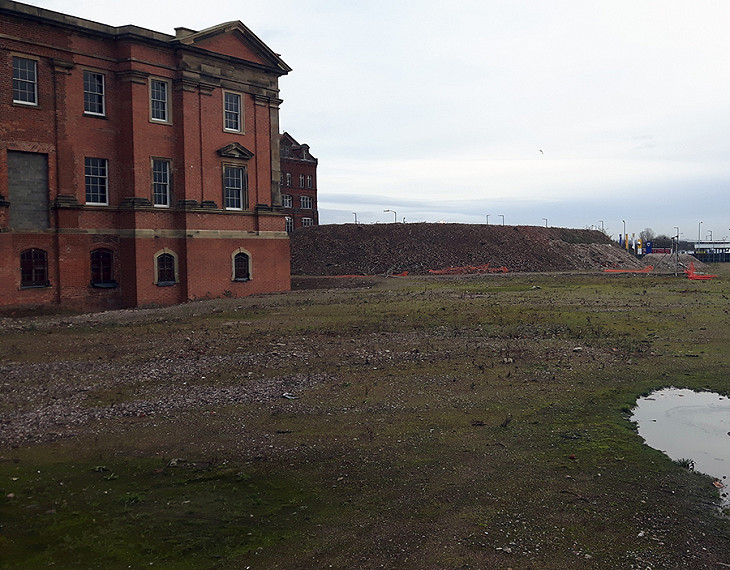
(298, 184)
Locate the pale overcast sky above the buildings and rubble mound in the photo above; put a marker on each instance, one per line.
(608, 114)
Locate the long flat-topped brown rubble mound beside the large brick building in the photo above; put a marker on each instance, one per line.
(378, 249)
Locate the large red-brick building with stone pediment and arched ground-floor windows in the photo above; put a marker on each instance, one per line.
(137, 167)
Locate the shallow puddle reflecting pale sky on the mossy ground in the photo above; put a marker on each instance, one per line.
(689, 425)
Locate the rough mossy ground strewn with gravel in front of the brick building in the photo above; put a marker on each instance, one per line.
(474, 422)
